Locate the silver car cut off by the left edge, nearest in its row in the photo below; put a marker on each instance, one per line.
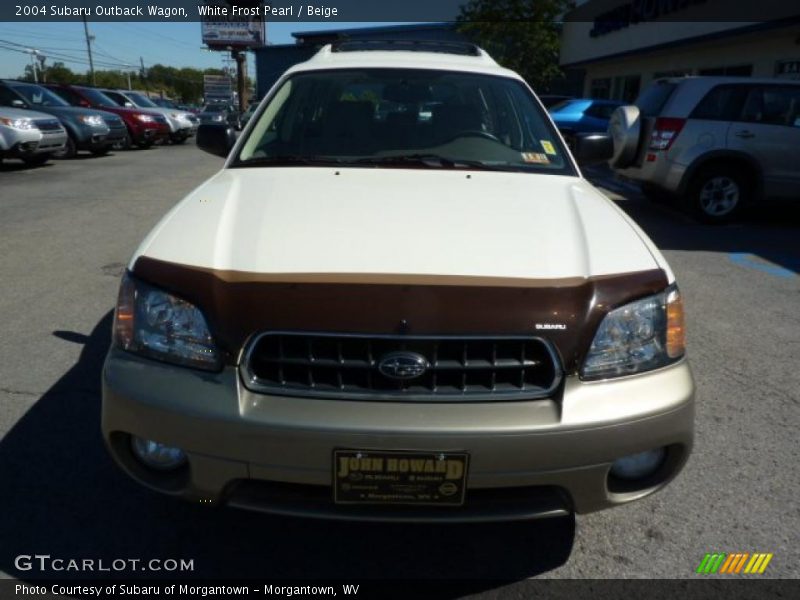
(30, 136)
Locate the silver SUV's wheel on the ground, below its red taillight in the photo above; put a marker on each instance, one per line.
(717, 193)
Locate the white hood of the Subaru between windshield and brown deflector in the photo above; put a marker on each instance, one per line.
(357, 223)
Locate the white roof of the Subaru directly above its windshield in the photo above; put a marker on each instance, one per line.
(329, 58)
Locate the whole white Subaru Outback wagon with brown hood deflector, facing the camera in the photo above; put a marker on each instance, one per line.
(422, 312)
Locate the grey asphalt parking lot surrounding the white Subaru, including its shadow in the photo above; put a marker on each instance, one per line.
(66, 233)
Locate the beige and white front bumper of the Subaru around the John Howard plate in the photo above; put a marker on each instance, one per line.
(527, 459)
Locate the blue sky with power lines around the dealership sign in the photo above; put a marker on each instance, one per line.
(118, 44)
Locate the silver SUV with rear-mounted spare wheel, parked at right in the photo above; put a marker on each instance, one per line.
(714, 143)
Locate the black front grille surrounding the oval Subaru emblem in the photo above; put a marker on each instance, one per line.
(348, 366)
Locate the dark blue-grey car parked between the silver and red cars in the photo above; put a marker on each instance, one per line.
(92, 130)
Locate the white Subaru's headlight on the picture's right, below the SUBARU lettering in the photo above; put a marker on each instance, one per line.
(640, 336)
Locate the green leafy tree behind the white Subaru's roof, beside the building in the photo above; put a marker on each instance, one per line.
(523, 35)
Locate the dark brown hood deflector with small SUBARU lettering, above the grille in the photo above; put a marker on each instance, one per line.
(237, 305)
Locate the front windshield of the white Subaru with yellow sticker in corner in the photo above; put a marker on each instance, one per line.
(405, 117)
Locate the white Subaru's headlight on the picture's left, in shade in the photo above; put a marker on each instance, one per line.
(156, 324)
